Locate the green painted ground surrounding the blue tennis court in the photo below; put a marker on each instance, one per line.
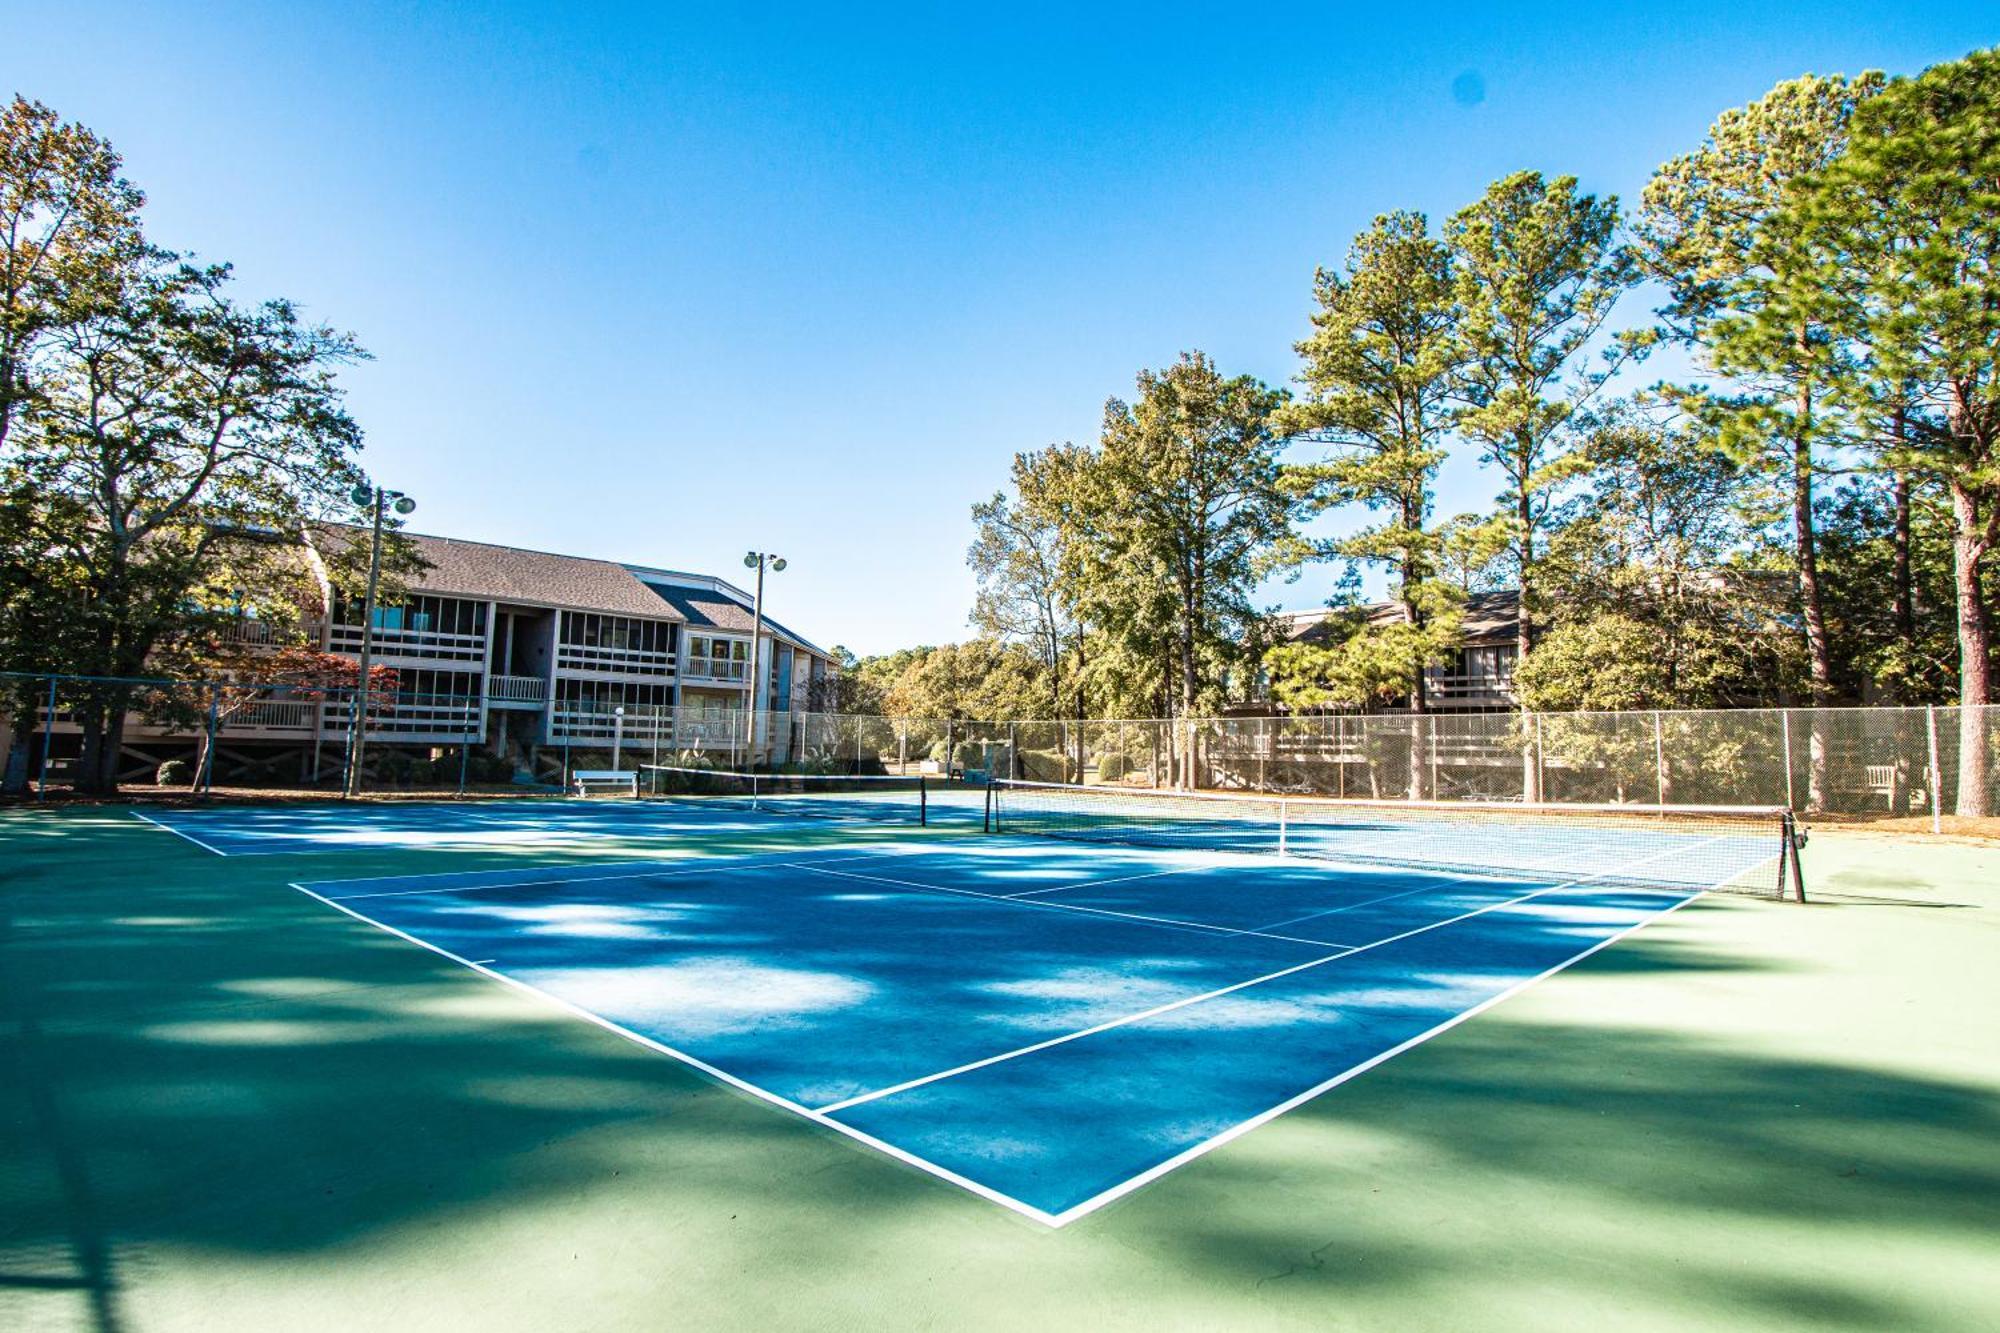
(229, 1108)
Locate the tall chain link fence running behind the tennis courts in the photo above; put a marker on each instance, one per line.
(245, 734)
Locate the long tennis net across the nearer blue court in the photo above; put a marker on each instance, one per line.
(1659, 848)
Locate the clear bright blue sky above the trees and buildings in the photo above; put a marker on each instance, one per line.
(661, 285)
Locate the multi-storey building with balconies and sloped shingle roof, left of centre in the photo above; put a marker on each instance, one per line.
(525, 655)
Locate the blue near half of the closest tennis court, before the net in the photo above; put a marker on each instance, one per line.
(1047, 1026)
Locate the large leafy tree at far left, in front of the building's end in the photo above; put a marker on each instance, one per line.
(155, 429)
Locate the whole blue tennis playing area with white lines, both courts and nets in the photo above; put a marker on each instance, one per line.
(1055, 1014)
